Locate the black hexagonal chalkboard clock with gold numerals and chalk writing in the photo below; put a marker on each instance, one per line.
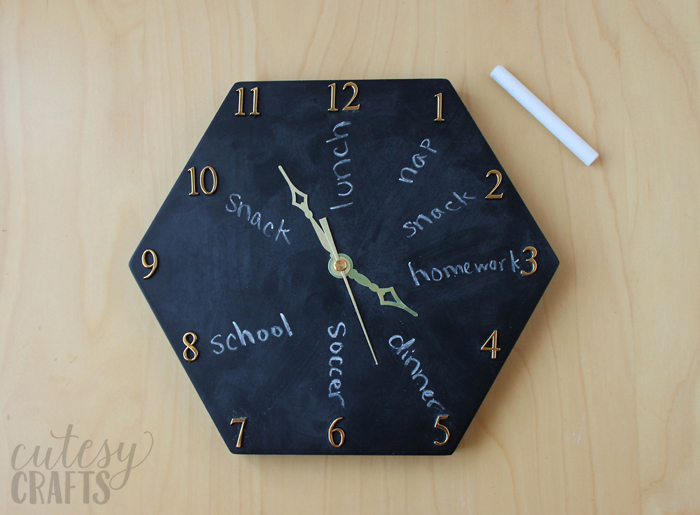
(302, 193)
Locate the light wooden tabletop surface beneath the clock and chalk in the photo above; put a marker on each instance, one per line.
(598, 408)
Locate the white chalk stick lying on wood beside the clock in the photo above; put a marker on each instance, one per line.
(544, 114)
